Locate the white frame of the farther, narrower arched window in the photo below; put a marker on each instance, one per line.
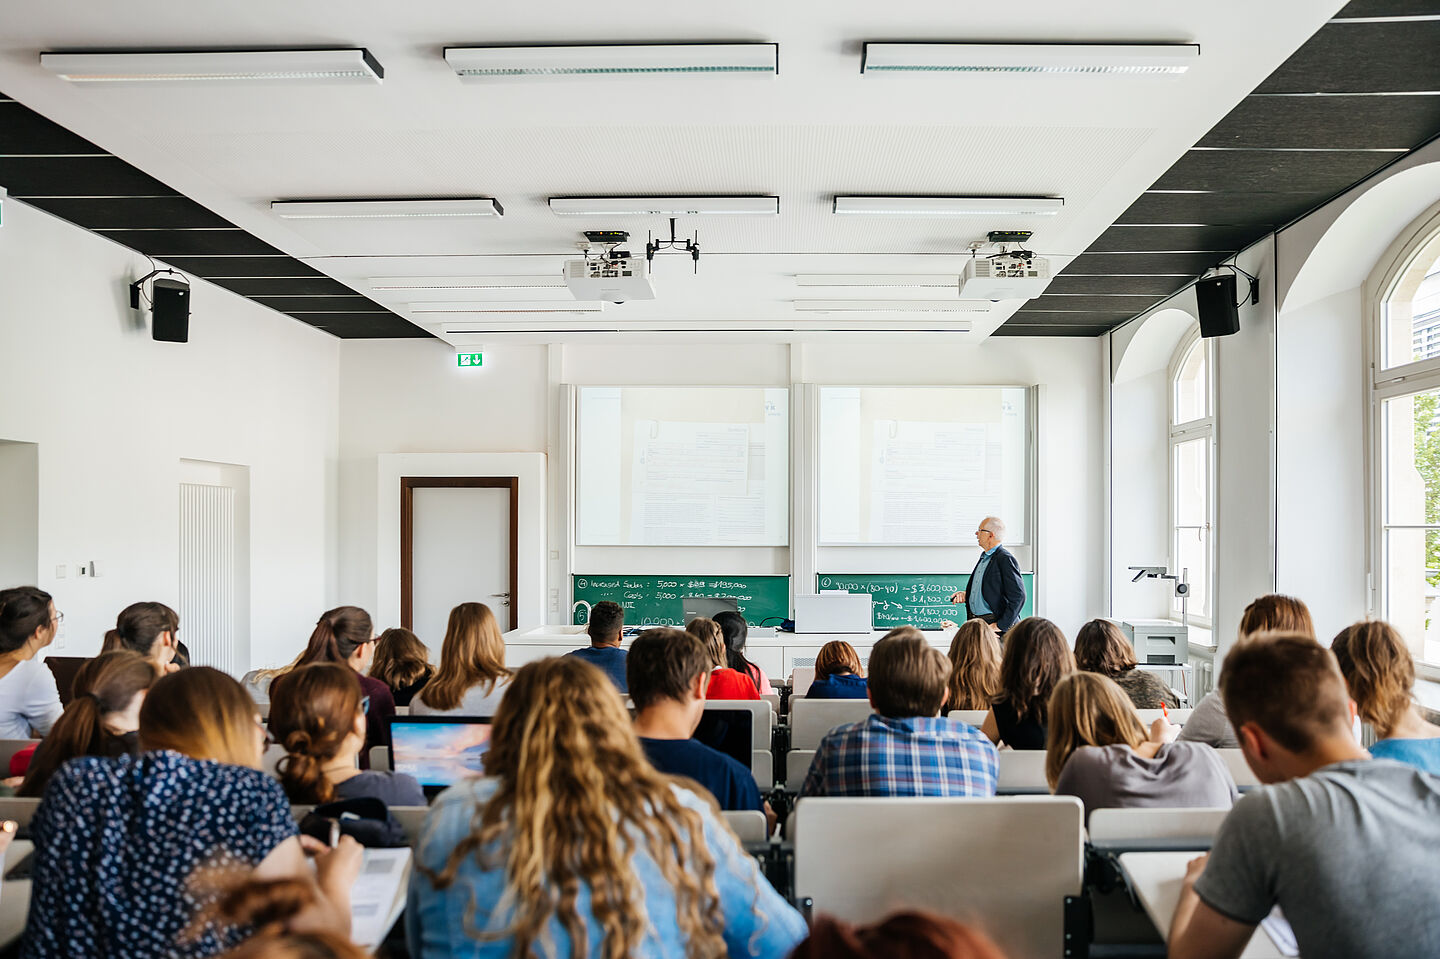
(1177, 434)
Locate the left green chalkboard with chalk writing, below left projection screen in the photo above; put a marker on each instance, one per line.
(656, 600)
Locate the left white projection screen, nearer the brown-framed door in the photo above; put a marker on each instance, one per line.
(683, 467)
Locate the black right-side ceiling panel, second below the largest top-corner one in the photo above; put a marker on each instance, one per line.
(1324, 172)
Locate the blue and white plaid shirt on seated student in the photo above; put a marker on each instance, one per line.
(918, 757)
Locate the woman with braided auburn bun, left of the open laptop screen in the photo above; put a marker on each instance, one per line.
(318, 716)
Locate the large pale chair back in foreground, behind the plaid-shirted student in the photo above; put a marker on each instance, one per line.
(1006, 865)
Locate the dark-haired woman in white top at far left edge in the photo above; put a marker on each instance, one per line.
(28, 695)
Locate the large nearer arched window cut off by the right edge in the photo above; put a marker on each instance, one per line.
(1406, 443)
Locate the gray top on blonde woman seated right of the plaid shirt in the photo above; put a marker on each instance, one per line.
(1117, 777)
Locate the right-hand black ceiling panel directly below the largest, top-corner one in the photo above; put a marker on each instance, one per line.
(1327, 123)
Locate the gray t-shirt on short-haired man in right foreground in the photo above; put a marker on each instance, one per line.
(1349, 853)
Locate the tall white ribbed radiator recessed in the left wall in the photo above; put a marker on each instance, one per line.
(208, 574)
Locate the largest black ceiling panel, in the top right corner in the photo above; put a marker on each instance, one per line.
(1363, 58)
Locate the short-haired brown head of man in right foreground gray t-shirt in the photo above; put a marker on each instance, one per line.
(1291, 688)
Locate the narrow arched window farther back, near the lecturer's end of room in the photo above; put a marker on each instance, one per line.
(1192, 473)
